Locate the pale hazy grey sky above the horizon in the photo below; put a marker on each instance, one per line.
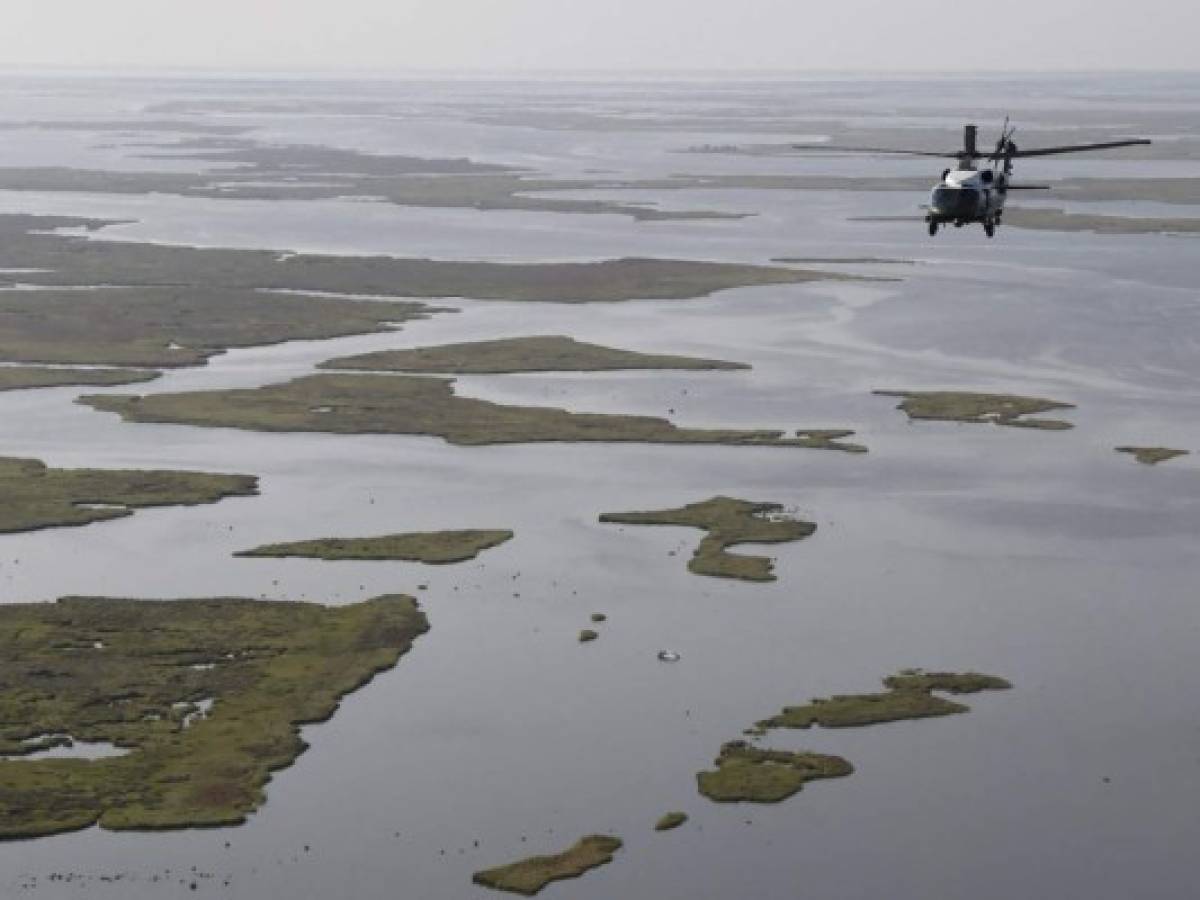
(602, 34)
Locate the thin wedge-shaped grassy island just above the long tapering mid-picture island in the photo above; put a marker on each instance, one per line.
(543, 353)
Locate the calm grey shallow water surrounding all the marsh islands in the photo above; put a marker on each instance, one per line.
(1047, 559)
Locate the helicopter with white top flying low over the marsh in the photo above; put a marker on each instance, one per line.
(969, 195)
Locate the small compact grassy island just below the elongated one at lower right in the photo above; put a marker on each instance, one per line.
(752, 775)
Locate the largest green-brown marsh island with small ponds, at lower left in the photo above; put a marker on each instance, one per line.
(207, 698)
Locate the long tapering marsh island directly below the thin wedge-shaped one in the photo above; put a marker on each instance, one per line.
(409, 405)
